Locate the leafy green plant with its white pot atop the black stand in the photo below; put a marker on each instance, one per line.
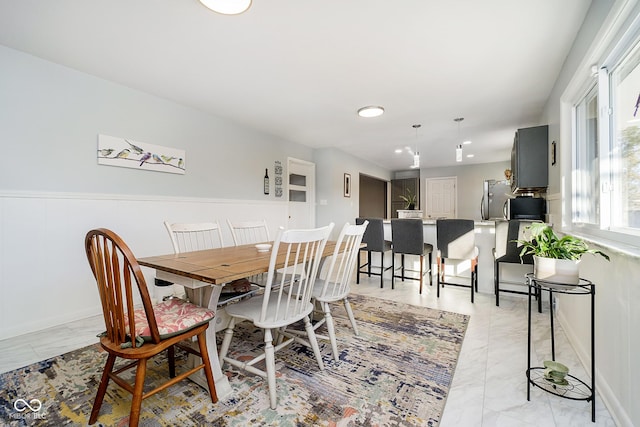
(555, 259)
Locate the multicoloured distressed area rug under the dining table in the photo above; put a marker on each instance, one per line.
(396, 372)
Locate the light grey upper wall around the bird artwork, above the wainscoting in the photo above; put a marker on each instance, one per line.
(50, 118)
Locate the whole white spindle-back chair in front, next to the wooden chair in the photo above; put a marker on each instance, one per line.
(280, 306)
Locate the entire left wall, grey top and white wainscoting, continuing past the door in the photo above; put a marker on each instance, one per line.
(52, 191)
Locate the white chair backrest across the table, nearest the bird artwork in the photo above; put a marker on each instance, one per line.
(188, 237)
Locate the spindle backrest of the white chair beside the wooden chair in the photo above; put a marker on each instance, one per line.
(301, 253)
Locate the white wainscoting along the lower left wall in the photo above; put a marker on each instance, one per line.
(45, 279)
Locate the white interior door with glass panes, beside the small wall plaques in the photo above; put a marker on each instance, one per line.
(302, 193)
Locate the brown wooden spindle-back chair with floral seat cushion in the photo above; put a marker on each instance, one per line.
(140, 334)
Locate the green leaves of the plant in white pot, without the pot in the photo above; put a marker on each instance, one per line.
(545, 243)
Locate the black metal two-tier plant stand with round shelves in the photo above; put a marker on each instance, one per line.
(574, 388)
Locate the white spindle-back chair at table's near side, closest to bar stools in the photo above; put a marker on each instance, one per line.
(333, 284)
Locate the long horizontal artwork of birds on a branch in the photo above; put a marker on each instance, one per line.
(127, 153)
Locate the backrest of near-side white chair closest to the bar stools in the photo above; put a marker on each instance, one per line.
(343, 262)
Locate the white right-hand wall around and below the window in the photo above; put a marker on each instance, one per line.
(617, 292)
